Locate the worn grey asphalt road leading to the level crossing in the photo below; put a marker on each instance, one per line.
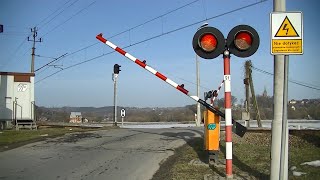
(110, 154)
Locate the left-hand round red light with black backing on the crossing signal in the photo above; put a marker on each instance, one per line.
(208, 42)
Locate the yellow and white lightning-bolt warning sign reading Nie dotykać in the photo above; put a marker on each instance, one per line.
(286, 33)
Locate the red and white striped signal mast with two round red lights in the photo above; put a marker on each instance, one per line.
(209, 43)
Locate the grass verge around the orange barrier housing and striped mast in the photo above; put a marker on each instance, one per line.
(251, 157)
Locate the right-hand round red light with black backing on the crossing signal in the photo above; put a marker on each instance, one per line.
(243, 41)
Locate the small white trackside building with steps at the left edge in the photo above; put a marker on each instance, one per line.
(17, 105)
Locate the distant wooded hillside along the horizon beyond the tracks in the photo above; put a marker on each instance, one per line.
(304, 109)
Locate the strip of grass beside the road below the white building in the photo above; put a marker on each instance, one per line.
(11, 138)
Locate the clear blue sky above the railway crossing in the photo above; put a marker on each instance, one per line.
(159, 32)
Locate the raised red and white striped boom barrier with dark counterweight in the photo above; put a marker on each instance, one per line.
(237, 127)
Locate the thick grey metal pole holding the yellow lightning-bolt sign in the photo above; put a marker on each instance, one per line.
(278, 94)
